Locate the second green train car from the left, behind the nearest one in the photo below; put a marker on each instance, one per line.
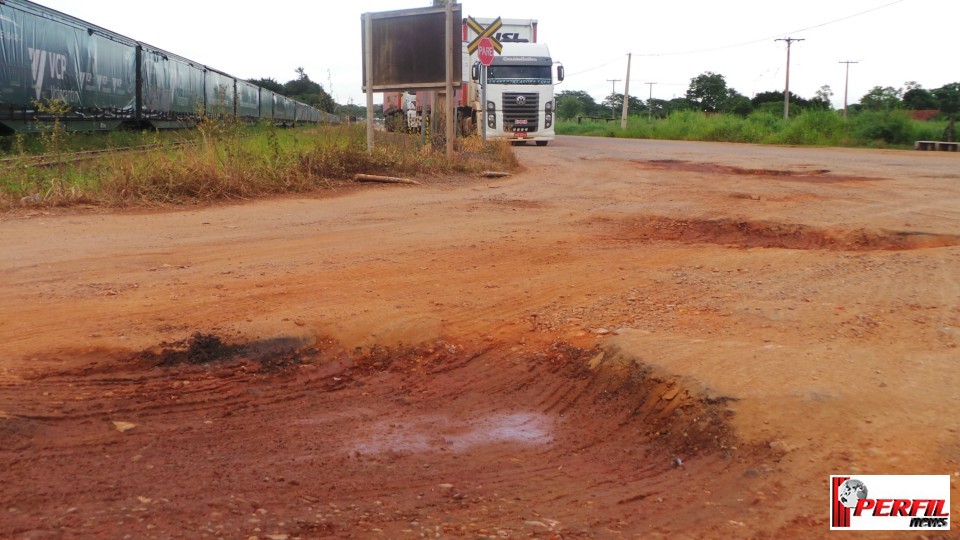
(171, 91)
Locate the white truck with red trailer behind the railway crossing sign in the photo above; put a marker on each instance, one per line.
(520, 104)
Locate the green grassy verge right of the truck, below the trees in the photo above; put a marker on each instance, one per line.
(893, 129)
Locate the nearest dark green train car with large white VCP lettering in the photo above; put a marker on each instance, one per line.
(46, 55)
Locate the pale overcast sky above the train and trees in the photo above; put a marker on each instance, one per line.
(894, 41)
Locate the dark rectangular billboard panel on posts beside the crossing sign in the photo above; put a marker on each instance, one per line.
(407, 48)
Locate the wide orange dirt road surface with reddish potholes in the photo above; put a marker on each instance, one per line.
(626, 339)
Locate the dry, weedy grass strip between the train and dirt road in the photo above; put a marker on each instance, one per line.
(222, 161)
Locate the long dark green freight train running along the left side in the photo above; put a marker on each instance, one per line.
(109, 81)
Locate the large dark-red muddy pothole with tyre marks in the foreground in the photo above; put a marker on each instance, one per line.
(441, 437)
